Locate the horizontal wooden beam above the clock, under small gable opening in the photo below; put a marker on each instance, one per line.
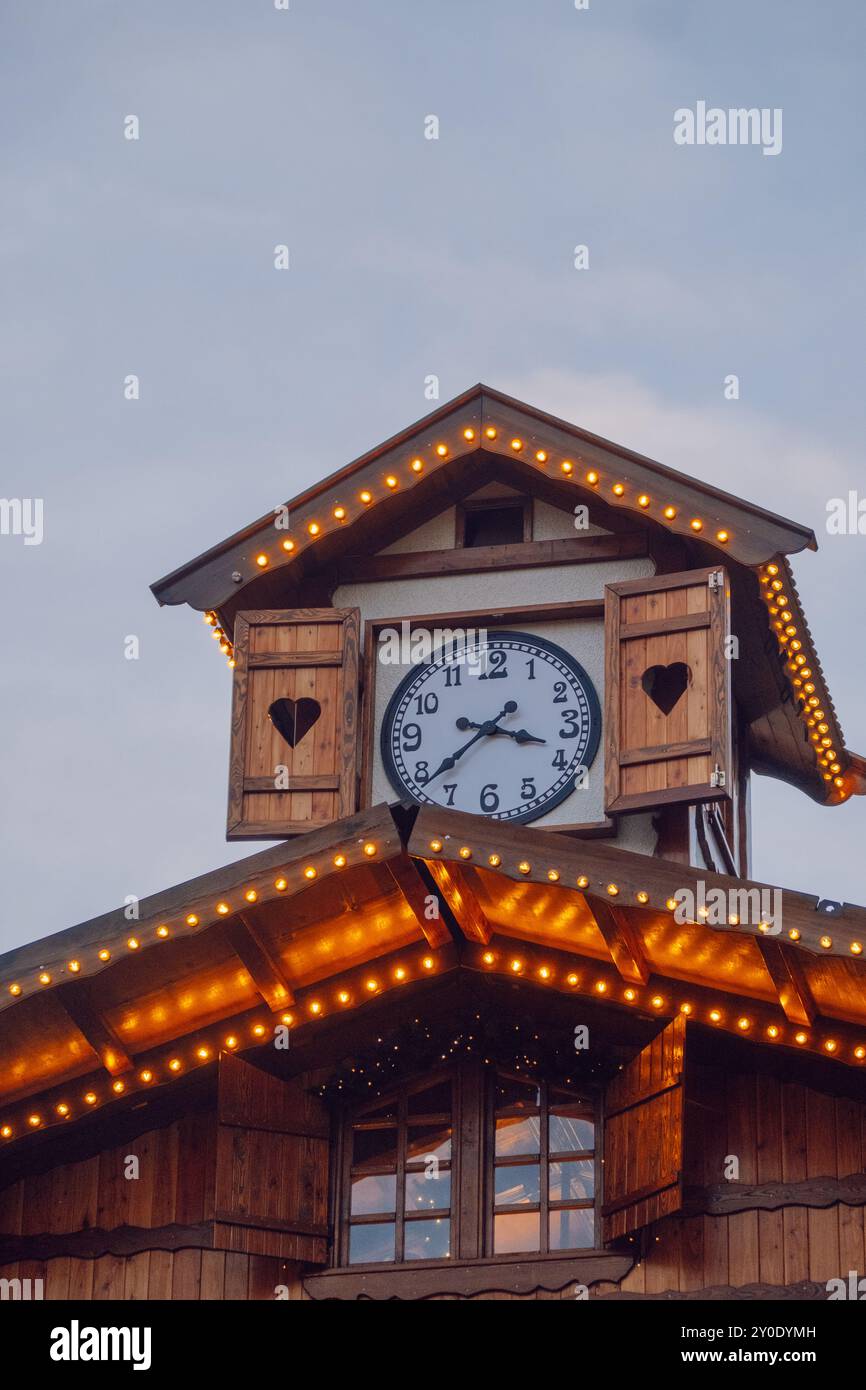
(414, 565)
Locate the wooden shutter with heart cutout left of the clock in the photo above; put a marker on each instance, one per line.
(294, 662)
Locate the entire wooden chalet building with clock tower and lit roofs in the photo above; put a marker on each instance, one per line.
(529, 1032)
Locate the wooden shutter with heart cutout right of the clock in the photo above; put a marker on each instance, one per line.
(667, 639)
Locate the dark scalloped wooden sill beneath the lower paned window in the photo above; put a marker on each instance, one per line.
(471, 1278)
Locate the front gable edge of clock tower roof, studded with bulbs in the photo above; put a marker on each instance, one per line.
(209, 582)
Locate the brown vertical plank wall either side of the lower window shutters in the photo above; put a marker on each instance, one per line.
(781, 1132)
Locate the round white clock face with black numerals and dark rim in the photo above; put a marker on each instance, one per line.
(503, 729)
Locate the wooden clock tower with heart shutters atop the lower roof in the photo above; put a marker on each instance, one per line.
(498, 614)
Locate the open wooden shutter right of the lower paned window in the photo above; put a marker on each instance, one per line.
(644, 1120)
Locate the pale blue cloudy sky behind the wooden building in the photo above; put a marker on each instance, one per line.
(408, 258)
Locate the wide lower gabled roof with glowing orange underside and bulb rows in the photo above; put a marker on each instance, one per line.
(309, 933)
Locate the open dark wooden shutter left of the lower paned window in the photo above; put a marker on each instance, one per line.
(272, 1189)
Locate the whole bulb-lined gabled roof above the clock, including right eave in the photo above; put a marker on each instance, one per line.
(333, 528)
